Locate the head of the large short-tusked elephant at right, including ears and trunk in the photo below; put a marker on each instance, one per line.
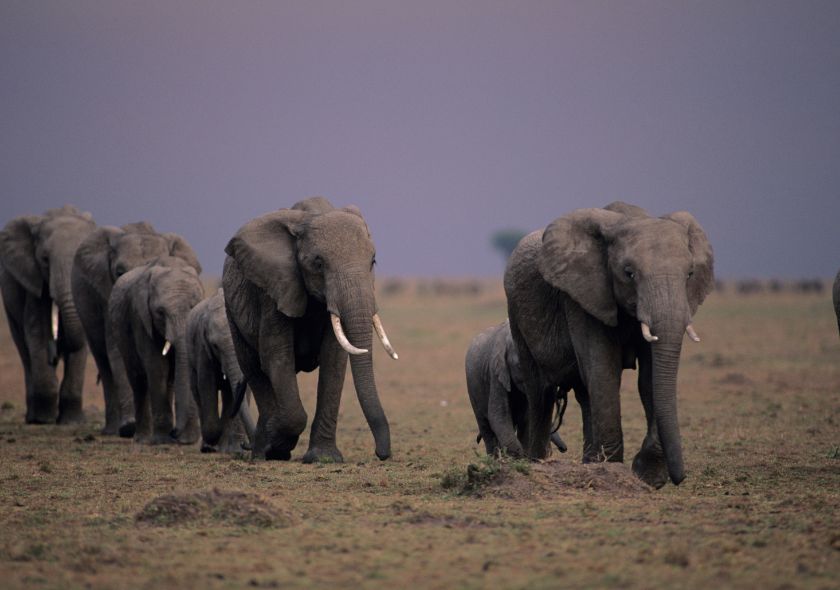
(657, 270)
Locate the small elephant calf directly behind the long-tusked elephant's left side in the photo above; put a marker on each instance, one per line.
(213, 370)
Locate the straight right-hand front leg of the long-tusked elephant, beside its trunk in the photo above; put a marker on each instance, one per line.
(333, 367)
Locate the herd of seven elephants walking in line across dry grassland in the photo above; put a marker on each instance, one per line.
(597, 291)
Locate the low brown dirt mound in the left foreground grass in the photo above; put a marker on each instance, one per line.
(216, 506)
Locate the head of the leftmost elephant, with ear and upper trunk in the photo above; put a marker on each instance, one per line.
(37, 250)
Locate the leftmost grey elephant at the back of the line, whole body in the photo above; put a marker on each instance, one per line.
(36, 256)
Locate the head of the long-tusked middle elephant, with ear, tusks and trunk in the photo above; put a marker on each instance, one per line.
(316, 252)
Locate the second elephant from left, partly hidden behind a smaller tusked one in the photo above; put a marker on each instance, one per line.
(100, 260)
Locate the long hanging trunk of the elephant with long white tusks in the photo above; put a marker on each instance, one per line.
(356, 314)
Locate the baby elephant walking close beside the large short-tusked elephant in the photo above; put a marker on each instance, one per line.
(499, 404)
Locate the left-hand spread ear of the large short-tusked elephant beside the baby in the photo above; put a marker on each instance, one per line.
(573, 259)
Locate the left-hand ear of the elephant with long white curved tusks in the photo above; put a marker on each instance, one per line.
(265, 251)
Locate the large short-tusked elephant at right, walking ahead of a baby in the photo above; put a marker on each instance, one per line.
(577, 293)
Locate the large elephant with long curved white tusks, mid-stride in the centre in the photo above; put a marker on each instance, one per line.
(299, 295)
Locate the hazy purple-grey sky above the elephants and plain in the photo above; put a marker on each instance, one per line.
(442, 120)
